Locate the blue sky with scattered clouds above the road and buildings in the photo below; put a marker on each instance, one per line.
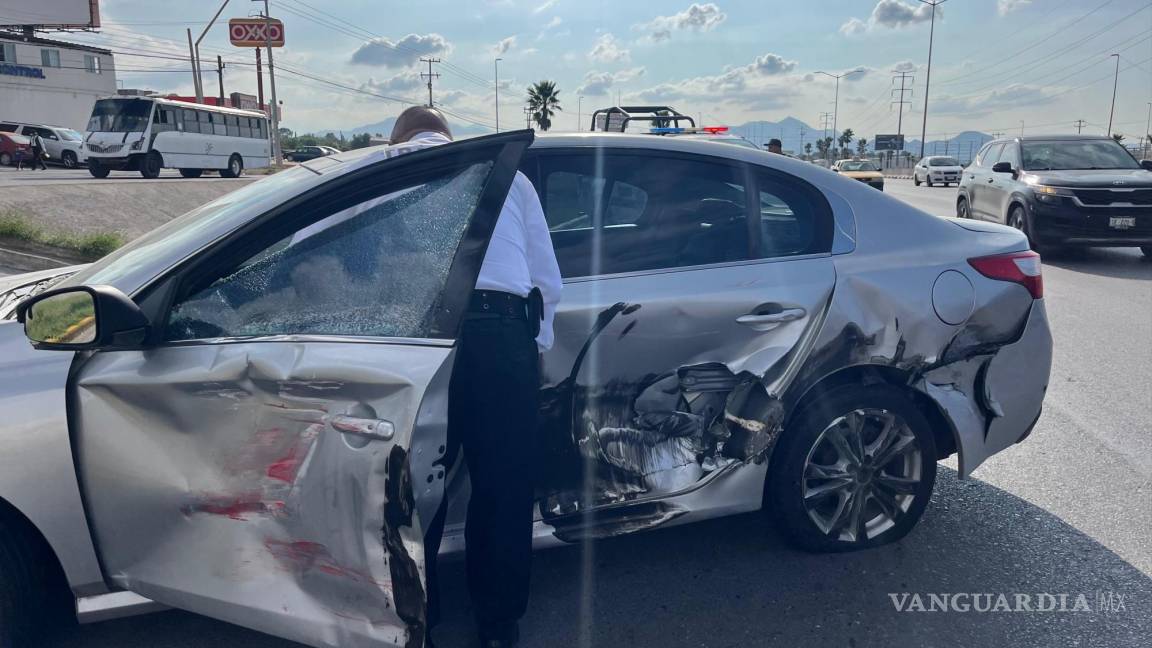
(996, 62)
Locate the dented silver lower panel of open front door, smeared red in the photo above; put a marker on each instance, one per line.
(274, 481)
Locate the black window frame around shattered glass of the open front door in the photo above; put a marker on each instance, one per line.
(158, 298)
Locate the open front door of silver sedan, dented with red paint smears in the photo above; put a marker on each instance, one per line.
(270, 457)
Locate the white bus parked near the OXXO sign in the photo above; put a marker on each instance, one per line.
(148, 134)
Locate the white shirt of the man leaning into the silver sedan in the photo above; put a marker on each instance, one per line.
(520, 254)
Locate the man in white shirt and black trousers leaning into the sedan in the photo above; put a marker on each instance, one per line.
(492, 403)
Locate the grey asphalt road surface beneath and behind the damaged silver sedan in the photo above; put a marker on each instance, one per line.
(1067, 513)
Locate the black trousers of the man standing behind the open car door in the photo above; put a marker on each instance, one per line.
(492, 413)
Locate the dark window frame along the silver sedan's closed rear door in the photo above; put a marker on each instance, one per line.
(533, 169)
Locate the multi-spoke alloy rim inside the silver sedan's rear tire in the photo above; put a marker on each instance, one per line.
(862, 474)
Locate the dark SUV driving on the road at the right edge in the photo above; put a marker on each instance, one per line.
(1062, 191)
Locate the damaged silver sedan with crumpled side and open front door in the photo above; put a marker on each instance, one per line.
(244, 413)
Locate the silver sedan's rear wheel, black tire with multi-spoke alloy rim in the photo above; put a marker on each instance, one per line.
(850, 433)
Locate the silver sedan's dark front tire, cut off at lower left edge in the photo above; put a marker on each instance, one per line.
(35, 599)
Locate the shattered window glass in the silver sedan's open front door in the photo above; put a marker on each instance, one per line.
(376, 269)
